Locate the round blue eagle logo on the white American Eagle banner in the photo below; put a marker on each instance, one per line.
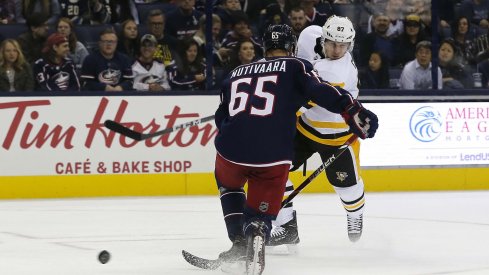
(425, 124)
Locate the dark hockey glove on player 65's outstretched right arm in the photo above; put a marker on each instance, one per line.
(362, 122)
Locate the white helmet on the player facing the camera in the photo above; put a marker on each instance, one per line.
(339, 29)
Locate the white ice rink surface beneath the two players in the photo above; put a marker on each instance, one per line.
(404, 233)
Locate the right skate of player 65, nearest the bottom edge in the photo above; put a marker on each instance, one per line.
(255, 255)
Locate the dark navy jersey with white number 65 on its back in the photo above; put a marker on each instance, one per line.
(257, 115)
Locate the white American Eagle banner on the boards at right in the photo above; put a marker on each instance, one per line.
(429, 133)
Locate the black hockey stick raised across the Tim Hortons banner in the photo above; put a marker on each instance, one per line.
(126, 131)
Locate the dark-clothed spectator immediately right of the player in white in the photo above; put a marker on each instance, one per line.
(376, 75)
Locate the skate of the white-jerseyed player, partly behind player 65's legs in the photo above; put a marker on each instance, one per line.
(286, 234)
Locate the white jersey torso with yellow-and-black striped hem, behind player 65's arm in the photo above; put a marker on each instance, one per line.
(319, 124)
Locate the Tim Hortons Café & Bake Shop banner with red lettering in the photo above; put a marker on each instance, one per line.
(67, 136)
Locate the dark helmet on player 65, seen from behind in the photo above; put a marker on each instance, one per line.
(279, 37)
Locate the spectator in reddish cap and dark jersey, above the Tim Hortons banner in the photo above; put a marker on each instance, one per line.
(55, 72)
